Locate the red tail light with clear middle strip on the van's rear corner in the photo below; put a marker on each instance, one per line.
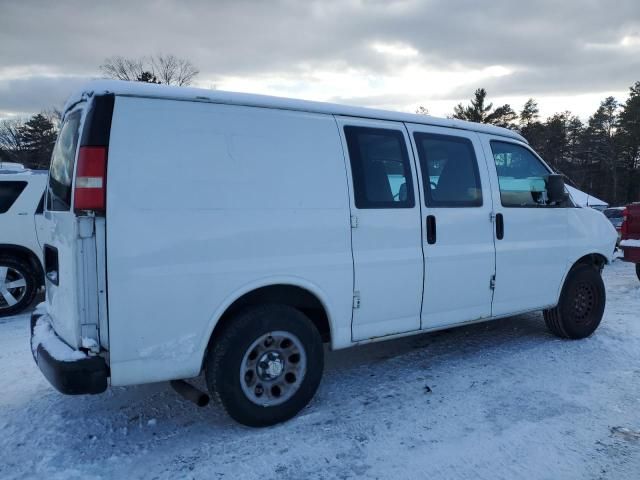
(91, 177)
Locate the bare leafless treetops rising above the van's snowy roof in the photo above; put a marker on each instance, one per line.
(167, 69)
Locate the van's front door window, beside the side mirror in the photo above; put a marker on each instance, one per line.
(521, 176)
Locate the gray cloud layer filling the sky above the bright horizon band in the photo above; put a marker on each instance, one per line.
(554, 47)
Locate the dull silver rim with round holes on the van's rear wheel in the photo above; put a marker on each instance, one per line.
(273, 368)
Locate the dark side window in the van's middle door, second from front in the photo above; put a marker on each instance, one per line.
(449, 171)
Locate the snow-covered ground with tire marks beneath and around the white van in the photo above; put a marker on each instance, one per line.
(501, 400)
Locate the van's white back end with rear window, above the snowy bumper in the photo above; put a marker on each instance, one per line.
(70, 252)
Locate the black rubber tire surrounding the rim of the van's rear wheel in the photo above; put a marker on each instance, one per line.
(227, 358)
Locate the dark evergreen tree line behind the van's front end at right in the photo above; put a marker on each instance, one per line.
(601, 156)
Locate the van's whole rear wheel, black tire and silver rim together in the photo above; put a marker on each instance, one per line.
(266, 365)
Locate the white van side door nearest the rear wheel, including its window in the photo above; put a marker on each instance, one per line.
(385, 234)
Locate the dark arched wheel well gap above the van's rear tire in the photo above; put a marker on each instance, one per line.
(290, 295)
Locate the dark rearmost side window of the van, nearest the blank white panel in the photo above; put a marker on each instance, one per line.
(380, 168)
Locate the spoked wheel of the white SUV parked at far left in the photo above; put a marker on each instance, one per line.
(18, 285)
